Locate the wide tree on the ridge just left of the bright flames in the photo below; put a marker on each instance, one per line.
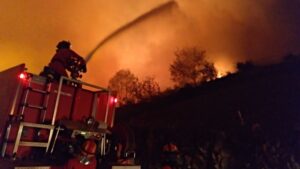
(190, 67)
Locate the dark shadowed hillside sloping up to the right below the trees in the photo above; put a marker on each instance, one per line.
(246, 120)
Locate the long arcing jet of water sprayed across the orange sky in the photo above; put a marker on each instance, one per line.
(129, 24)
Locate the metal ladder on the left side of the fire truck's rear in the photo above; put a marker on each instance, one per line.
(42, 115)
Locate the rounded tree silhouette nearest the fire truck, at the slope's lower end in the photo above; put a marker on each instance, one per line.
(124, 83)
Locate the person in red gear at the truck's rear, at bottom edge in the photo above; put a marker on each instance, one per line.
(86, 158)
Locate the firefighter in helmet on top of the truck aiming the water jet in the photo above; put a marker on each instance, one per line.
(62, 61)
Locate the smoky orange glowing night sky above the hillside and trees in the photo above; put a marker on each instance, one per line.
(238, 30)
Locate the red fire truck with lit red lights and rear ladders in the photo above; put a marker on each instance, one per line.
(43, 123)
